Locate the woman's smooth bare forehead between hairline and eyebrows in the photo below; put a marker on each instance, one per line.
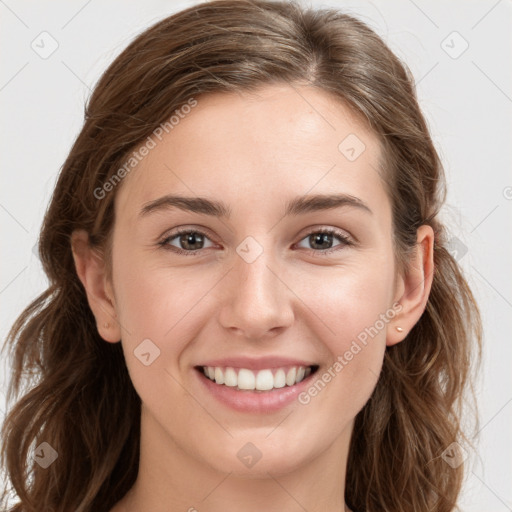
(265, 146)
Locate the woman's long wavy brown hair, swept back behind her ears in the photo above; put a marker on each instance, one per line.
(77, 393)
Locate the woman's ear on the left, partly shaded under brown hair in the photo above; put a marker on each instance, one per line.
(91, 269)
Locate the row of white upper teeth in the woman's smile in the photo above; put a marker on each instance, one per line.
(263, 380)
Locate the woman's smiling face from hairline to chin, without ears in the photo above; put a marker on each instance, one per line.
(258, 288)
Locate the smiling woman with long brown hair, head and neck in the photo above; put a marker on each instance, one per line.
(251, 303)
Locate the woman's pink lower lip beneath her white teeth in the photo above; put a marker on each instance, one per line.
(255, 401)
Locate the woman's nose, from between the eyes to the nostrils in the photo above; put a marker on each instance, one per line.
(257, 302)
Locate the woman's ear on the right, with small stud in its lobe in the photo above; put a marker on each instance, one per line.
(414, 287)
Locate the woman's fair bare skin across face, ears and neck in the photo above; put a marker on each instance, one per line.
(254, 152)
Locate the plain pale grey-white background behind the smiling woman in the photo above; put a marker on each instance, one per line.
(466, 95)
